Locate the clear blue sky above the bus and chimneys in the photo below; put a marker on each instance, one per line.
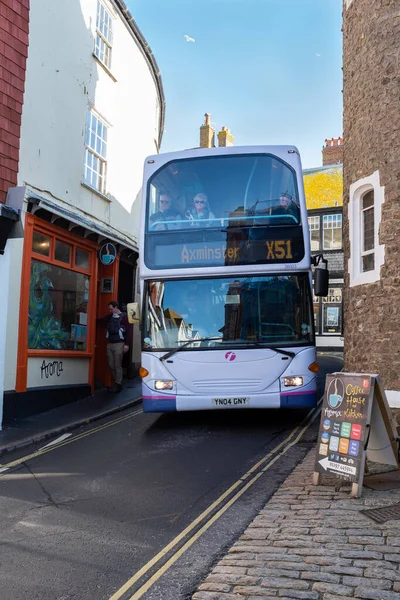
(269, 70)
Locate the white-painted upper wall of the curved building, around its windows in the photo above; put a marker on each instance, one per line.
(63, 80)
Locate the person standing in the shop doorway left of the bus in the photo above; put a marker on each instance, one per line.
(119, 339)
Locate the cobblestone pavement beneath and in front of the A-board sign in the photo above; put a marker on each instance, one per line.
(312, 543)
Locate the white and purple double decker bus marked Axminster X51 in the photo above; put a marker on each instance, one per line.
(226, 282)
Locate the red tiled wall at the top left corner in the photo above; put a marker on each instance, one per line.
(14, 28)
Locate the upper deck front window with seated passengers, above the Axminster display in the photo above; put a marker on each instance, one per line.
(219, 191)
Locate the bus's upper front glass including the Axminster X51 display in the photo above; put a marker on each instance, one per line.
(222, 210)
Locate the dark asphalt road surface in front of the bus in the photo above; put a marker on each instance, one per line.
(142, 505)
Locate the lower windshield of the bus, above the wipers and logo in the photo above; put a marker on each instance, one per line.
(270, 310)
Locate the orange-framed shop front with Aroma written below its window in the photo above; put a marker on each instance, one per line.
(65, 285)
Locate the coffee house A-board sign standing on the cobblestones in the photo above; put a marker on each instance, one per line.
(356, 422)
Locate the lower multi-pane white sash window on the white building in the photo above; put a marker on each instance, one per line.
(95, 152)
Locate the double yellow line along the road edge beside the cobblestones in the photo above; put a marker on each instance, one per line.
(281, 449)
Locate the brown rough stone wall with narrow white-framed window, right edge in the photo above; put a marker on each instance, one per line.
(371, 62)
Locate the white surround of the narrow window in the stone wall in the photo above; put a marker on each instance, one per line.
(356, 232)
